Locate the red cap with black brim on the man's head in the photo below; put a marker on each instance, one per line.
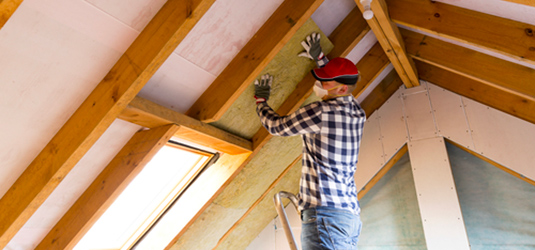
(338, 69)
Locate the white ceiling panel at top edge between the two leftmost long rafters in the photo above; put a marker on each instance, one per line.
(223, 31)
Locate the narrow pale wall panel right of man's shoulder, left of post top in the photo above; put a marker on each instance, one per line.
(392, 122)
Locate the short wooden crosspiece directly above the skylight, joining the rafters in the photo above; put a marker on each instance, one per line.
(148, 114)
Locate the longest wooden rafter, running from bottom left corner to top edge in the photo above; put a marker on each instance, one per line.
(152, 47)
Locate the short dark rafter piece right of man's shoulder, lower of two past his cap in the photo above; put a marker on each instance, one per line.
(381, 93)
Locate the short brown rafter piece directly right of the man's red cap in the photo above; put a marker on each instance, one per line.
(370, 67)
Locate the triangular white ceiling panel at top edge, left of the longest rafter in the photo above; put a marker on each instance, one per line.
(134, 13)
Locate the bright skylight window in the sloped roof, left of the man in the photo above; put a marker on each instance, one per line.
(147, 197)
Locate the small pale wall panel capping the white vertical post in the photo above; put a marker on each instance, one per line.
(418, 113)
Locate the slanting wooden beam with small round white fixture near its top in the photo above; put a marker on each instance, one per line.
(388, 35)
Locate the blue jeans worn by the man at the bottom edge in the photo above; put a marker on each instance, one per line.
(329, 228)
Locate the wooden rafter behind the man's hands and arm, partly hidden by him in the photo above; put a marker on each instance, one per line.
(345, 37)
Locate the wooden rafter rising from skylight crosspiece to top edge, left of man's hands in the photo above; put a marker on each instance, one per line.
(252, 59)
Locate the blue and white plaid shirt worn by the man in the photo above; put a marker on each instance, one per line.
(331, 132)
